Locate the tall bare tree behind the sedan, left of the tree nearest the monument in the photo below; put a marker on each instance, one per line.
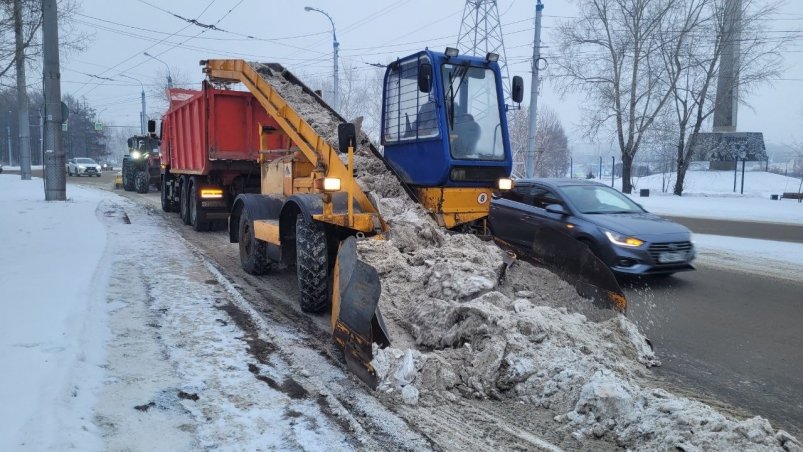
(613, 54)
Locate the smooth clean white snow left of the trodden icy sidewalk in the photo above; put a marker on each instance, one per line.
(52, 330)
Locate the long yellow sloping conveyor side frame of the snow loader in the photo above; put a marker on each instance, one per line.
(314, 147)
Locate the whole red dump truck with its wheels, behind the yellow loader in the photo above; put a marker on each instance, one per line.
(211, 152)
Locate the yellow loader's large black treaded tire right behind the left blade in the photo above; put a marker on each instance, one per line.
(312, 265)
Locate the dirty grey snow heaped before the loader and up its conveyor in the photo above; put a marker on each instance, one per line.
(520, 333)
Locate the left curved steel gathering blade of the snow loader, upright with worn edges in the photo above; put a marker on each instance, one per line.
(356, 321)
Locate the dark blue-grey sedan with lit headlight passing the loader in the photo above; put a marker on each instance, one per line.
(627, 238)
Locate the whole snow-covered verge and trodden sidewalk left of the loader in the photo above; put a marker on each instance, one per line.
(108, 346)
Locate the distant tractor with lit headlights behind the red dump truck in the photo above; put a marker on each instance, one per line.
(141, 167)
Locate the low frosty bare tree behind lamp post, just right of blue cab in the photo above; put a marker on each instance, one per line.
(552, 146)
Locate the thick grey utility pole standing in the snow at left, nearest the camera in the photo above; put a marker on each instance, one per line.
(55, 177)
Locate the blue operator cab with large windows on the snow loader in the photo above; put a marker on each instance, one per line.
(444, 121)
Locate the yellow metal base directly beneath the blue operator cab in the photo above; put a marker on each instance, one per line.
(454, 206)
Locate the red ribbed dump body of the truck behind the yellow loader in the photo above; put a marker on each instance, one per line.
(208, 130)
